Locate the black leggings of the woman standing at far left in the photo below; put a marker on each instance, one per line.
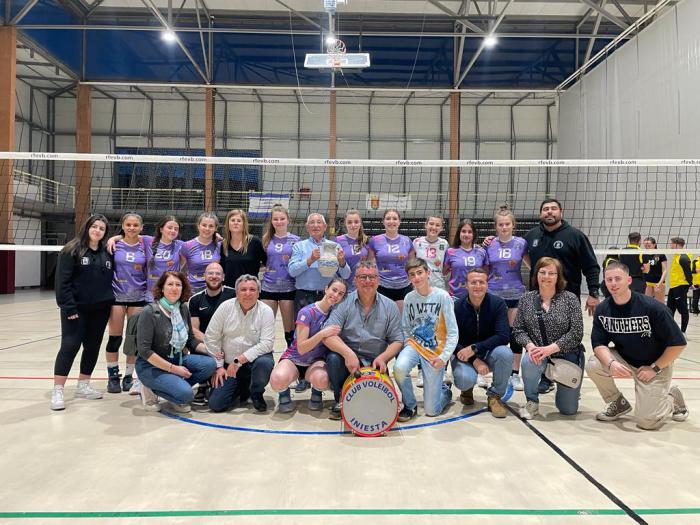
(88, 330)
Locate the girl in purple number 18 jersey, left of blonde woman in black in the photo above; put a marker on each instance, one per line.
(199, 252)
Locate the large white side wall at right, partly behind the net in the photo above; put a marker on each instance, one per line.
(642, 102)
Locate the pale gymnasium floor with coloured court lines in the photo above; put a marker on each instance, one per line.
(110, 462)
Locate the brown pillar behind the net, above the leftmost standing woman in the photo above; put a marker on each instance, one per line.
(83, 144)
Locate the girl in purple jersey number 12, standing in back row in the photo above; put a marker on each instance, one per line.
(391, 251)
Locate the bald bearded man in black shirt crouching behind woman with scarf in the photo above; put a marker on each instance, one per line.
(202, 306)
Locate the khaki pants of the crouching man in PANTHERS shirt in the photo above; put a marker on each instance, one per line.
(653, 404)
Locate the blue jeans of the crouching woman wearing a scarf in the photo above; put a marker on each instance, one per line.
(175, 388)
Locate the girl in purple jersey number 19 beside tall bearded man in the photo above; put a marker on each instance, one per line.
(506, 255)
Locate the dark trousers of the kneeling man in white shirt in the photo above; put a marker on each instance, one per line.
(250, 379)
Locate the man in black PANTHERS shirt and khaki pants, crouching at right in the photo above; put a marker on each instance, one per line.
(647, 342)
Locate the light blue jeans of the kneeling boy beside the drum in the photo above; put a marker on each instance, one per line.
(436, 394)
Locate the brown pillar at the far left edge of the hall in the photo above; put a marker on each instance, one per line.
(8, 67)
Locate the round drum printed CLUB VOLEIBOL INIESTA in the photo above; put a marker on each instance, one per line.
(369, 404)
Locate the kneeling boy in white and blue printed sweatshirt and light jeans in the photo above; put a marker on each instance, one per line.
(431, 333)
